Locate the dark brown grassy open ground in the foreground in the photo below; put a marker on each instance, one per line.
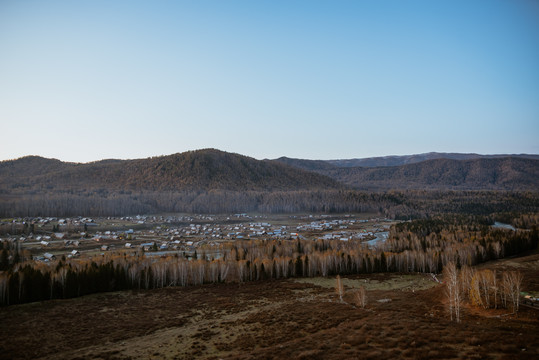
(405, 318)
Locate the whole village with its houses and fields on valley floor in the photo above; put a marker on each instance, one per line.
(44, 239)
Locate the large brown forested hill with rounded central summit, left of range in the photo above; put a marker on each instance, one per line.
(195, 170)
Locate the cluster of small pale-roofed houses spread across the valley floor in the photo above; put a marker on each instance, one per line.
(181, 233)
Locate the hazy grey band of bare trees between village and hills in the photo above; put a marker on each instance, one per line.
(393, 204)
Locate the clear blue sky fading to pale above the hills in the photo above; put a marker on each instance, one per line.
(88, 80)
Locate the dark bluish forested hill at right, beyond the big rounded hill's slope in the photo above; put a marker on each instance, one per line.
(510, 173)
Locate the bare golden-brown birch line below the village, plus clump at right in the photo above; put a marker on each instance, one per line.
(252, 260)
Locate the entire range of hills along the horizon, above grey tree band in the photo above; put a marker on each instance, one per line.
(210, 169)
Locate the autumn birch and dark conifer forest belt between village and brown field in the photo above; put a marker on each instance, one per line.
(425, 246)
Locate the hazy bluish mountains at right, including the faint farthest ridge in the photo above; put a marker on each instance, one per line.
(434, 171)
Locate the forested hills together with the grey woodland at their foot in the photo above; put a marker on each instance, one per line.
(212, 181)
